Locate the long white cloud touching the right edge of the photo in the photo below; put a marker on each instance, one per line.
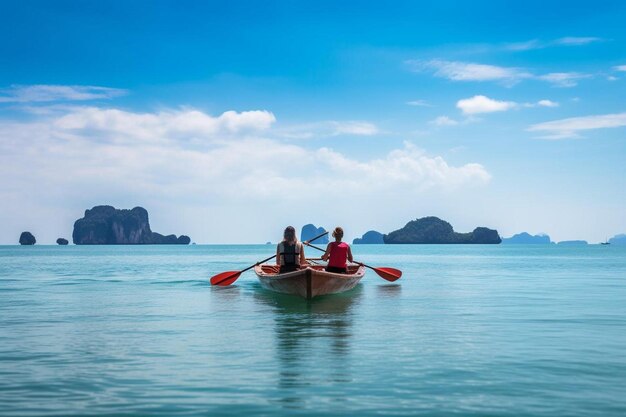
(569, 128)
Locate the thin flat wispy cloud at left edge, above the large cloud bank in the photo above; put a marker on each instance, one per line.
(46, 93)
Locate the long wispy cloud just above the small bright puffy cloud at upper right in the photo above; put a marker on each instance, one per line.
(468, 71)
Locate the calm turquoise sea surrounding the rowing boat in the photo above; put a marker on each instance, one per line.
(468, 330)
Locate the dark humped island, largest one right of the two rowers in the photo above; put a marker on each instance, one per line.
(433, 230)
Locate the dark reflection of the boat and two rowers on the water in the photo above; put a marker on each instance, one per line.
(312, 340)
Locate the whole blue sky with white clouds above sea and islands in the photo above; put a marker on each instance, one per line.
(230, 120)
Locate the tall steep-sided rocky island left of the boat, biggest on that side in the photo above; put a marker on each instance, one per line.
(106, 225)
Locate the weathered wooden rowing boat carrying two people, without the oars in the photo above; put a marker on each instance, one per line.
(308, 282)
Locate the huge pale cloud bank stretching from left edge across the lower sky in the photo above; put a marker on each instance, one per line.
(216, 168)
